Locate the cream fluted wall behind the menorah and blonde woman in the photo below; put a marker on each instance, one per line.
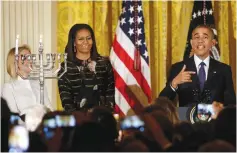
(29, 19)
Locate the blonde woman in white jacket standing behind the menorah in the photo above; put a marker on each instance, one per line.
(22, 94)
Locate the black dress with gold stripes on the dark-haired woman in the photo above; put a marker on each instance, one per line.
(81, 88)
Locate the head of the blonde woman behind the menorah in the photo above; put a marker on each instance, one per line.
(23, 65)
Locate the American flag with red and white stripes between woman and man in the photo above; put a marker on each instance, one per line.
(130, 39)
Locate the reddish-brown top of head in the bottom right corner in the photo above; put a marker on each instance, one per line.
(217, 146)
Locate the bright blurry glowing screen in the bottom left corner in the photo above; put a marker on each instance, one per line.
(18, 139)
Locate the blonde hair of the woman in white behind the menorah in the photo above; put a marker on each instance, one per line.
(11, 70)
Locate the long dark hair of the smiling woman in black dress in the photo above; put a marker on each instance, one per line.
(69, 49)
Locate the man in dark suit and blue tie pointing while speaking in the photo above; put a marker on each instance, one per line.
(200, 78)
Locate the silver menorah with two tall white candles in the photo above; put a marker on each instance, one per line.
(41, 69)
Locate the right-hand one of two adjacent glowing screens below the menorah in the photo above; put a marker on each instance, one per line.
(65, 120)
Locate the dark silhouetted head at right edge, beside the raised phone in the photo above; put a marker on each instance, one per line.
(225, 125)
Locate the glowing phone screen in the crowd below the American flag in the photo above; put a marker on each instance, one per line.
(132, 122)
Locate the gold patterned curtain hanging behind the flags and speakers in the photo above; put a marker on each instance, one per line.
(166, 29)
